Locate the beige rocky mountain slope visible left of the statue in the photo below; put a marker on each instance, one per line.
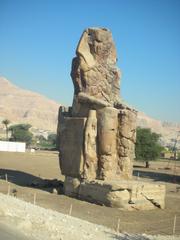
(23, 106)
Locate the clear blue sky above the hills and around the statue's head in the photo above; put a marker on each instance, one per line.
(38, 39)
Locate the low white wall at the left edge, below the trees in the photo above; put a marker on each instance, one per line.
(12, 146)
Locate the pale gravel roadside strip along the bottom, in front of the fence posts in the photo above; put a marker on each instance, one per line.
(38, 223)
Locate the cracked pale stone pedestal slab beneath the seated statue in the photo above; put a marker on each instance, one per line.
(123, 194)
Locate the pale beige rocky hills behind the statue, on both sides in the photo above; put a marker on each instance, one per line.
(23, 106)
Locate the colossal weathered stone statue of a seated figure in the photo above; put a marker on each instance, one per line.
(97, 134)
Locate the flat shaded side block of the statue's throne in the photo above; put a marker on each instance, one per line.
(71, 146)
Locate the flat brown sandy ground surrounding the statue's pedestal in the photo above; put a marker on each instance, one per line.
(23, 169)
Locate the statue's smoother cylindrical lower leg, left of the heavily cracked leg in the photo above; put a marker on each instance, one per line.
(107, 131)
